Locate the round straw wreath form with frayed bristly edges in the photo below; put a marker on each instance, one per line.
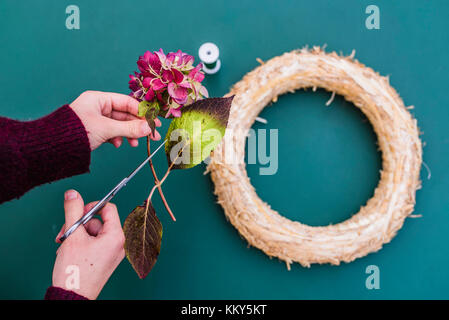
(398, 136)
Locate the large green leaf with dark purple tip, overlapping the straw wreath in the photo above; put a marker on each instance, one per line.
(195, 134)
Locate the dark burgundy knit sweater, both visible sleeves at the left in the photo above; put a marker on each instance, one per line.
(40, 151)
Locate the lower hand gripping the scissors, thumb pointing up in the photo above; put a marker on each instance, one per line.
(86, 259)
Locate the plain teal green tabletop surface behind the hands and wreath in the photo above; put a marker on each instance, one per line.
(328, 159)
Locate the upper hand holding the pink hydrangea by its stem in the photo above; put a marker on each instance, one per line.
(108, 117)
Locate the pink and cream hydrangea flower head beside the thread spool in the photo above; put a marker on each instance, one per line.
(170, 80)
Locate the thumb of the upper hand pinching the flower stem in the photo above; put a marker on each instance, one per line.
(129, 129)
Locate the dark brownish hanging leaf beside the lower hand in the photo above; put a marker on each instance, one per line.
(143, 236)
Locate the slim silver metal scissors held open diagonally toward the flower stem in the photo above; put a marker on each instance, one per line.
(107, 198)
